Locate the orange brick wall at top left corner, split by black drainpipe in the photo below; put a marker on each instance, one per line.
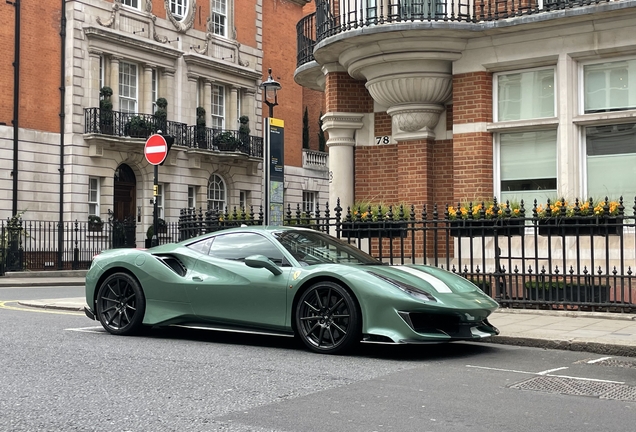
(40, 45)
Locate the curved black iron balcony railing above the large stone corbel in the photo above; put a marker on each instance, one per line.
(333, 17)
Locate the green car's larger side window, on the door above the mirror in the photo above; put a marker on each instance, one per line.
(238, 246)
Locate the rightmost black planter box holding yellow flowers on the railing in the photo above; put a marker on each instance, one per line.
(580, 226)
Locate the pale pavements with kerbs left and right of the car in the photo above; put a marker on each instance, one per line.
(595, 332)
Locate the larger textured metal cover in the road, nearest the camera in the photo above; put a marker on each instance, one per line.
(577, 387)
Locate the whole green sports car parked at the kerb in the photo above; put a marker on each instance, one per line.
(284, 281)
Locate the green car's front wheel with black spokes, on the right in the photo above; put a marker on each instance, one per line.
(327, 318)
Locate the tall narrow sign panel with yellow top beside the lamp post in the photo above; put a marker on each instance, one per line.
(274, 173)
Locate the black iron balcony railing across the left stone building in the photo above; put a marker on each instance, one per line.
(115, 123)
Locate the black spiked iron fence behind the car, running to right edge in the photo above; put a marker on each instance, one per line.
(535, 259)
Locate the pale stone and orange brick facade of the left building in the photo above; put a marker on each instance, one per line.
(183, 60)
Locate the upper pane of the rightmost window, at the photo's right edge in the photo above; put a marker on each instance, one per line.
(607, 86)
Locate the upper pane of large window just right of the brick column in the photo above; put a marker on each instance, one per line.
(525, 95)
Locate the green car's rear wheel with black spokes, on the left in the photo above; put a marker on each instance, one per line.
(121, 304)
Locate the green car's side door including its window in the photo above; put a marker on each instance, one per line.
(224, 289)
